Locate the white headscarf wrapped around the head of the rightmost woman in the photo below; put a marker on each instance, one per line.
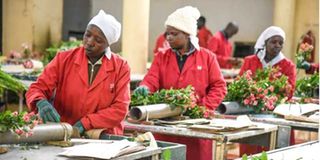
(261, 48)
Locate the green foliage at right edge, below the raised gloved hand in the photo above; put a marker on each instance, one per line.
(307, 87)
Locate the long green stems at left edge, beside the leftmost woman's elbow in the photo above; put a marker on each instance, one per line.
(10, 83)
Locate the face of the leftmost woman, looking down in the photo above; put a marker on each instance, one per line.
(94, 42)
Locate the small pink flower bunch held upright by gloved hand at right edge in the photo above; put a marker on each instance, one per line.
(304, 53)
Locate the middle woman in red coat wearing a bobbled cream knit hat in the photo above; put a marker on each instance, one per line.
(185, 63)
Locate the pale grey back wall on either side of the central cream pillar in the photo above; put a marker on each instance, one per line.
(252, 16)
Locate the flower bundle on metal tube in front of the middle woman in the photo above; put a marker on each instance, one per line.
(185, 98)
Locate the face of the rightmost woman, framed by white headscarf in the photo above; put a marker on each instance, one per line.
(274, 45)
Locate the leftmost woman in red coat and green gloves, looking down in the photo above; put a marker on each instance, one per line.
(87, 87)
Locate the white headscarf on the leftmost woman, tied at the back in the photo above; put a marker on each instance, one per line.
(110, 27)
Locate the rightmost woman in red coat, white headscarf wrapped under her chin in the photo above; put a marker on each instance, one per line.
(268, 53)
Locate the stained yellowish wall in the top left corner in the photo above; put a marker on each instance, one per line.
(34, 22)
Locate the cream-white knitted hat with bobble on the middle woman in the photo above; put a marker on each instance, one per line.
(185, 19)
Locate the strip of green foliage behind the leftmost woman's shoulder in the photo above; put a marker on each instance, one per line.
(54, 49)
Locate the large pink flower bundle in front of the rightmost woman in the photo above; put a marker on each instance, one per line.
(262, 91)
